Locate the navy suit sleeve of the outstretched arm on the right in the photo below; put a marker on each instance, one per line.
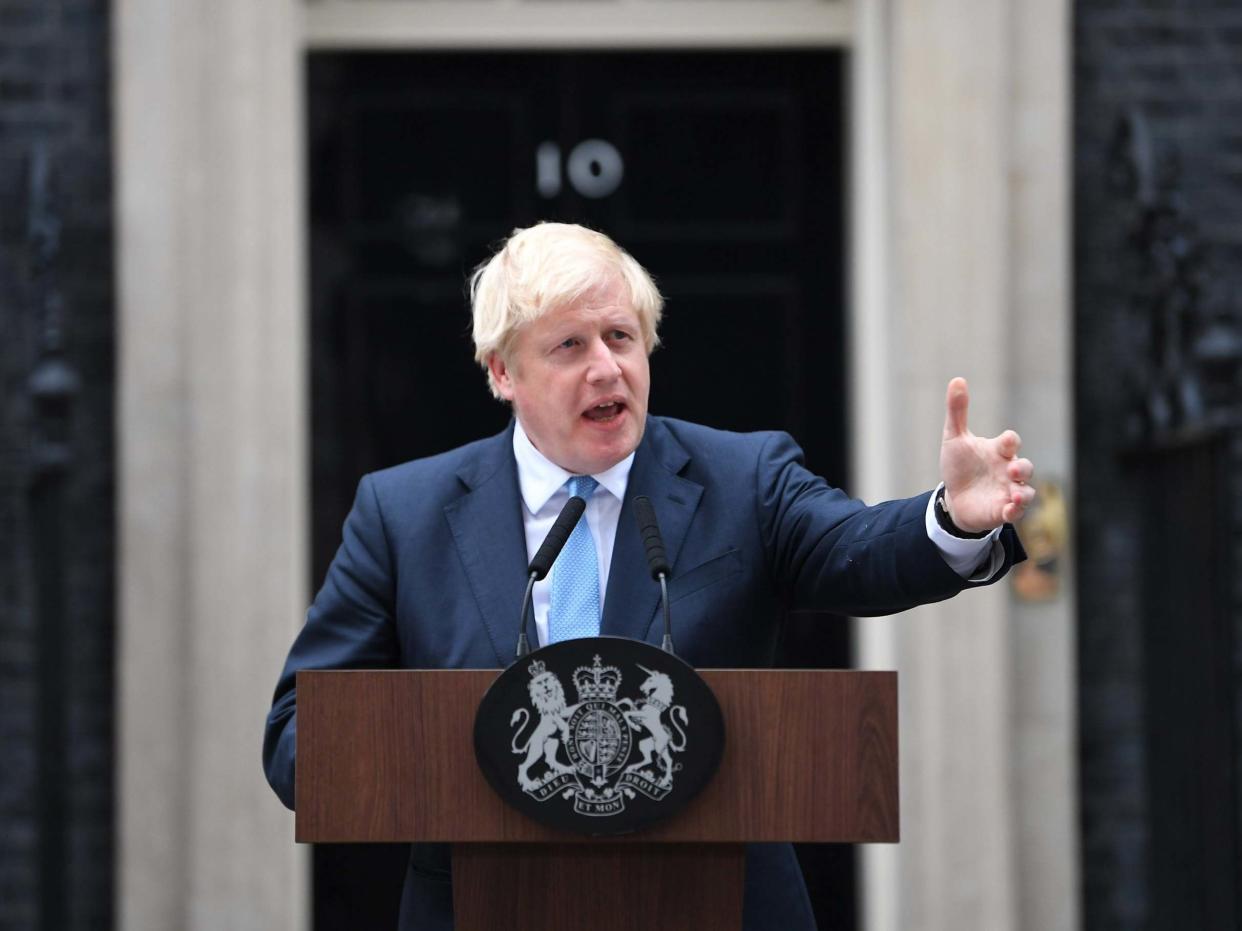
(835, 554)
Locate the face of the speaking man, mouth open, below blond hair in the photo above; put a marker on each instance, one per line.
(578, 380)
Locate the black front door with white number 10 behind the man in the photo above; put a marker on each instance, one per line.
(721, 172)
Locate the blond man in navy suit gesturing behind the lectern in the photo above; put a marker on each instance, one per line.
(434, 553)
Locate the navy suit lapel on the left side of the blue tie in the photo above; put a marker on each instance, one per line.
(487, 531)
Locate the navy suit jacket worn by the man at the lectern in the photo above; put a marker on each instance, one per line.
(432, 570)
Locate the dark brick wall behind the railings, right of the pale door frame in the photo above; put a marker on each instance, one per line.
(1181, 66)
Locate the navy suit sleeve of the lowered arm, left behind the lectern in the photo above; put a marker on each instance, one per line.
(350, 626)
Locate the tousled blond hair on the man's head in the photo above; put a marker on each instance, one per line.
(547, 268)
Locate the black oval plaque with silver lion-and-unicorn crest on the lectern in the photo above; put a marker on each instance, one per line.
(599, 735)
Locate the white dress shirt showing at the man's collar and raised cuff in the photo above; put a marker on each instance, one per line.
(542, 483)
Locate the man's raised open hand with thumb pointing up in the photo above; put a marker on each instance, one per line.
(986, 483)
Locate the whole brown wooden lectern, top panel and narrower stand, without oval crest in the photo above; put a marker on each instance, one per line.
(387, 757)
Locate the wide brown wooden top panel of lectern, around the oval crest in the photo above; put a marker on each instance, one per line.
(388, 757)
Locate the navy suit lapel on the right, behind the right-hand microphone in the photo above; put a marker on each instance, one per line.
(633, 598)
